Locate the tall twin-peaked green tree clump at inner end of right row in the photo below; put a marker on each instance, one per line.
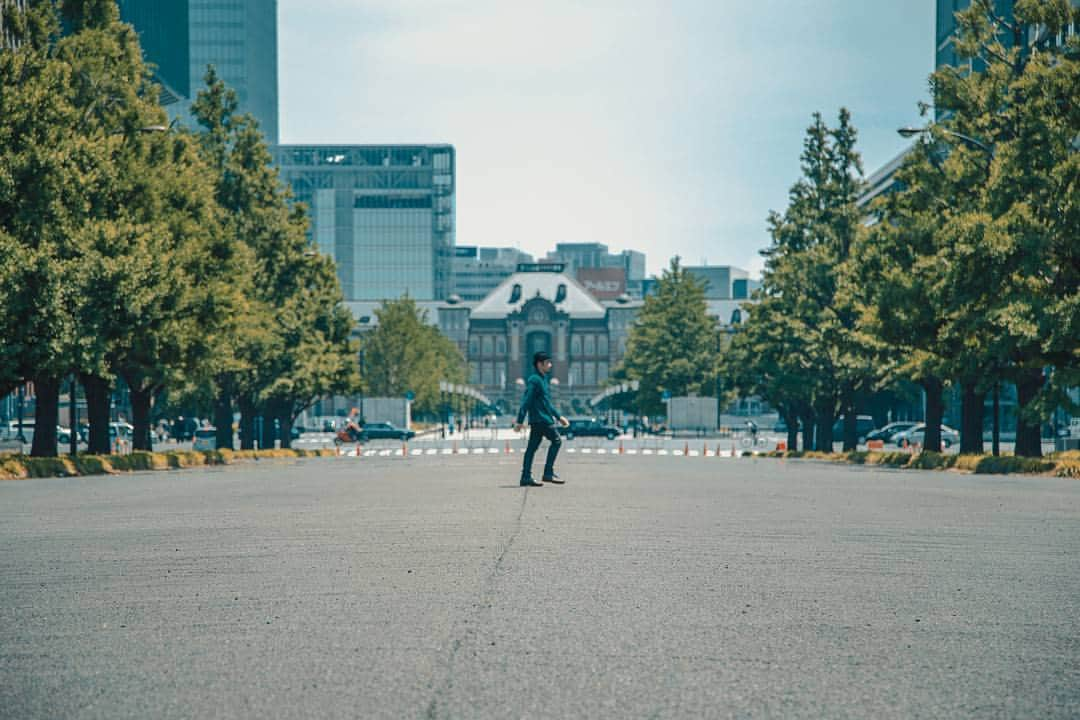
(808, 268)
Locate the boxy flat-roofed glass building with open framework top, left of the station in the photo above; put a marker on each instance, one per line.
(385, 213)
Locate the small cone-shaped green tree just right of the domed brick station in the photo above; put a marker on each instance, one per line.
(673, 345)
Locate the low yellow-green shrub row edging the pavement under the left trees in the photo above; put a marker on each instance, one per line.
(18, 467)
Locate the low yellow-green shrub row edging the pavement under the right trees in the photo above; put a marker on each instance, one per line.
(1063, 465)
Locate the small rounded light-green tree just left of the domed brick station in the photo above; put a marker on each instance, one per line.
(407, 354)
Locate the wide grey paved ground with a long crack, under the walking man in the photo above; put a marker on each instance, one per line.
(647, 587)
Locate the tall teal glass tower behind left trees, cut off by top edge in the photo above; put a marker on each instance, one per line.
(238, 37)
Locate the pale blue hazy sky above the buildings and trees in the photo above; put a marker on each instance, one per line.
(671, 128)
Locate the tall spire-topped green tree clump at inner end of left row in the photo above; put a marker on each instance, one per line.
(292, 343)
